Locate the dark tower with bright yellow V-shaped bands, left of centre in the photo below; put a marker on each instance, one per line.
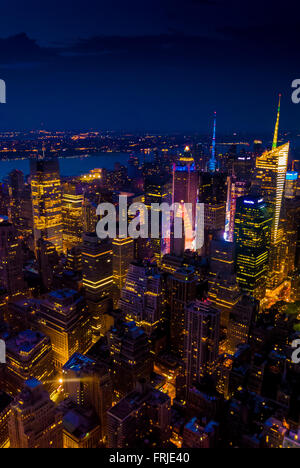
(97, 268)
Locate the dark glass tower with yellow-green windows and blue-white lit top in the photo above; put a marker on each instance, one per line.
(252, 238)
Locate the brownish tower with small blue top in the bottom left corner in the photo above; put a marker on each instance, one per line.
(34, 421)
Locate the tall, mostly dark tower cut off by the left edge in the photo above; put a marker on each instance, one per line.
(11, 259)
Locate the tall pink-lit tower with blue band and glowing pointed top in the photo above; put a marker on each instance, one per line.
(185, 190)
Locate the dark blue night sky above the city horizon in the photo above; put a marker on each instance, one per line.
(157, 66)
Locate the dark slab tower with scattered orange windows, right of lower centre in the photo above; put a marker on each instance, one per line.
(201, 346)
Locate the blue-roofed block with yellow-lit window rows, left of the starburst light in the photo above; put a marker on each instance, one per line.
(29, 355)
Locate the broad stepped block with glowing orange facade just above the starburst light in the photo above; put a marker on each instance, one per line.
(64, 318)
